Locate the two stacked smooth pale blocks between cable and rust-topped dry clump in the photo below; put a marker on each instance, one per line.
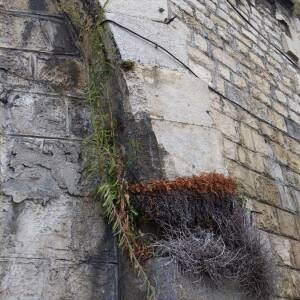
(178, 106)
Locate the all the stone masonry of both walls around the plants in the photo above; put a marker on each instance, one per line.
(240, 116)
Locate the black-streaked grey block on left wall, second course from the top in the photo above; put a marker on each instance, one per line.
(35, 34)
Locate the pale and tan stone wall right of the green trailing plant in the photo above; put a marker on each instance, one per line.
(241, 116)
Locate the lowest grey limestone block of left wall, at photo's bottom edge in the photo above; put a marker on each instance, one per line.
(57, 279)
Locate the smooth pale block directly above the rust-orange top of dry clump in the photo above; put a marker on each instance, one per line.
(189, 150)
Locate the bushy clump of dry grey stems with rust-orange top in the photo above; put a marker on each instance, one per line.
(207, 232)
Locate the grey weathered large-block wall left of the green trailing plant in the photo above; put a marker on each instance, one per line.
(54, 242)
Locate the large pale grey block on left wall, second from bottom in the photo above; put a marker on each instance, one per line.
(66, 228)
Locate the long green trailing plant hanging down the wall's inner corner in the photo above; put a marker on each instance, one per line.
(102, 157)
